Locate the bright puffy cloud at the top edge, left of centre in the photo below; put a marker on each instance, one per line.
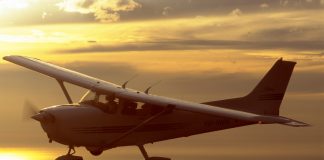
(103, 10)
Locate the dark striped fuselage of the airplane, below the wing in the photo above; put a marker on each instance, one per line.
(89, 126)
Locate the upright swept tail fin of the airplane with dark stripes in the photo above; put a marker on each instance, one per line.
(267, 96)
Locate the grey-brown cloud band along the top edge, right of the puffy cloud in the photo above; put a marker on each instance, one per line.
(191, 8)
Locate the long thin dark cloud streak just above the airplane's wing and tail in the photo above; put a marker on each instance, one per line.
(201, 45)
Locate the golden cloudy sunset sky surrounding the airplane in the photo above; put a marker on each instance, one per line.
(200, 50)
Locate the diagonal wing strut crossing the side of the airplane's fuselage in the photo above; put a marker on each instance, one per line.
(165, 110)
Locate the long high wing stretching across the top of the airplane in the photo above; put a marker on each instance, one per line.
(102, 86)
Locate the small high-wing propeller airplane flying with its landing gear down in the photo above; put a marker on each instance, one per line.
(110, 115)
